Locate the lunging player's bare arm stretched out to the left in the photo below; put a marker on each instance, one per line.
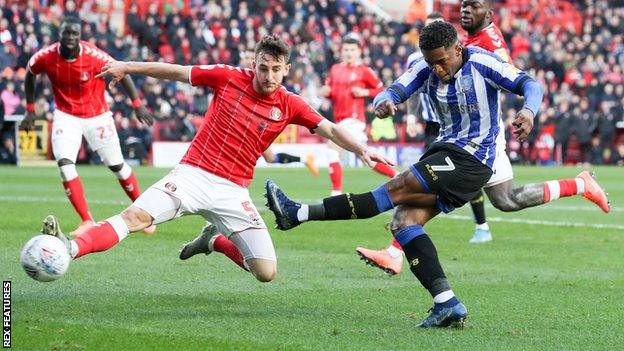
(118, 69)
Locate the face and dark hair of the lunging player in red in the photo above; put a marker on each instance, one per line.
(270, 71)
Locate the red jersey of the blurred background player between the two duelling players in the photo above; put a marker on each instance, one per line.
(341, 79)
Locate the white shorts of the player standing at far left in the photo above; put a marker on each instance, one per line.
(99, 132)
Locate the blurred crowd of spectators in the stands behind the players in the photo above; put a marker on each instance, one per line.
(579, 59)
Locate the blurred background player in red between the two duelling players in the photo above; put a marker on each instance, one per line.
(348, 85)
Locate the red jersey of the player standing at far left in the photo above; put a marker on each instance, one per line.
(76, 91)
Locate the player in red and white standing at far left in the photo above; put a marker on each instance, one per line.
(81, 110)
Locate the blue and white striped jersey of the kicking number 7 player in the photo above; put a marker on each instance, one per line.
(468, 105)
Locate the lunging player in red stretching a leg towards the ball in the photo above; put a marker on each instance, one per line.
(250, 109)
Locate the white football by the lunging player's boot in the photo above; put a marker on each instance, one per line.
(45, 258)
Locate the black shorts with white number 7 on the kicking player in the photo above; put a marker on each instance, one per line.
(452, 173)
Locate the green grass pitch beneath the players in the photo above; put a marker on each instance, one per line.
(539, 285)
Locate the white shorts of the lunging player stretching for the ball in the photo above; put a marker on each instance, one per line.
(190, 190)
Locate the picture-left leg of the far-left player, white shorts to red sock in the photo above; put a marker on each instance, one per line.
(66, 141)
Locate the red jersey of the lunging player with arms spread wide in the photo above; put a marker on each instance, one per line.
(241, 123)
